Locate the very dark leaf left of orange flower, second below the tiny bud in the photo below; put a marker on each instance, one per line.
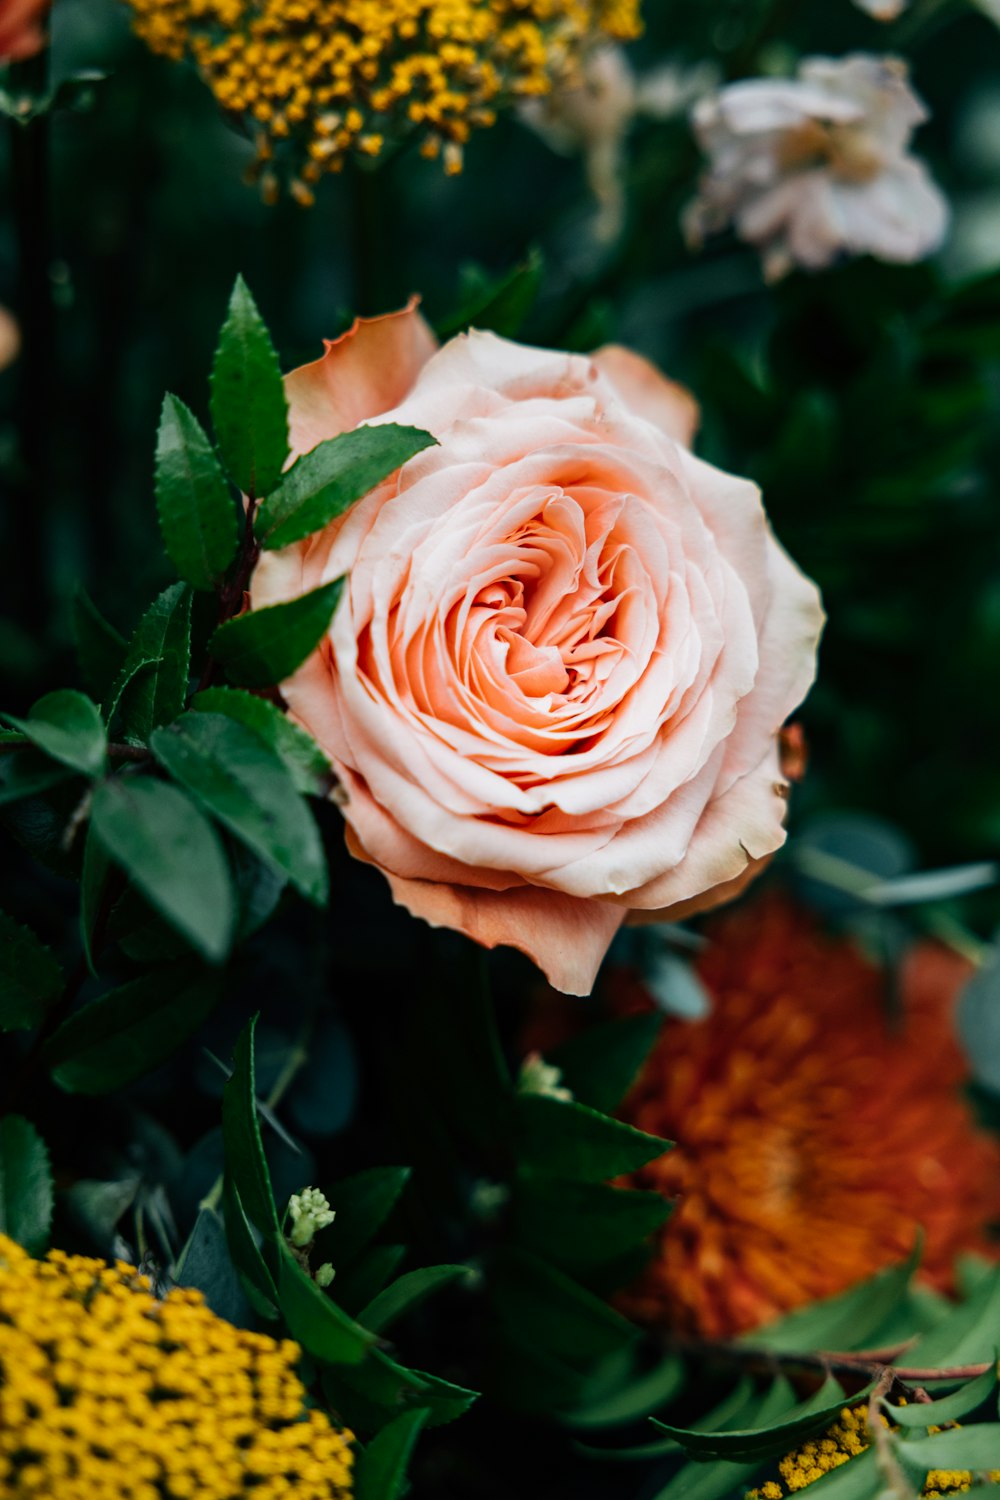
(584, 1225)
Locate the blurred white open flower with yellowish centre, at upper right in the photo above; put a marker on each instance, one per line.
(819, 166)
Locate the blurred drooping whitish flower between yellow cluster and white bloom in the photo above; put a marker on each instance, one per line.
(596, 112)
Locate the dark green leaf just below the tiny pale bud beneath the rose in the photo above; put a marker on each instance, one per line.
(572, 1141)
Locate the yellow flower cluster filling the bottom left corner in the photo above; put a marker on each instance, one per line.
(110, 1394)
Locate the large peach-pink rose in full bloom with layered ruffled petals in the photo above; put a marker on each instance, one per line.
(555, 682)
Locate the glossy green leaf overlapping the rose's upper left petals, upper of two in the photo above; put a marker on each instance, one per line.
(325, 482)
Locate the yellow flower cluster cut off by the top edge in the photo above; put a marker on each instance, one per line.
(341, 77)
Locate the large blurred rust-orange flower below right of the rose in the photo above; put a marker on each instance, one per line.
(815, 1133)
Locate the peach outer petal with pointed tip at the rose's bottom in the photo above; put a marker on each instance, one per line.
(566, 938)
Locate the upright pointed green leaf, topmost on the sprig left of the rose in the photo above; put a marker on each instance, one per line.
(248, 398)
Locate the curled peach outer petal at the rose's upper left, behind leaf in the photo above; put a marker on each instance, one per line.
(370, 370)
